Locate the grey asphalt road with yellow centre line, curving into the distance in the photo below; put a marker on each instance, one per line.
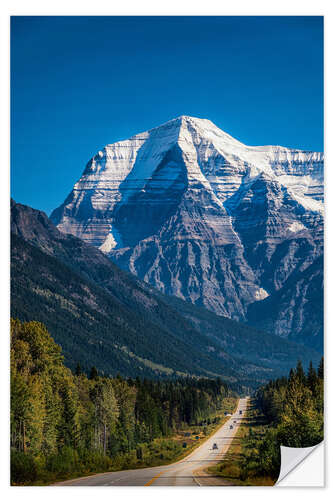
(187, 472)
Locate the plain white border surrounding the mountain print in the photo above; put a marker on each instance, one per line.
(145, 7)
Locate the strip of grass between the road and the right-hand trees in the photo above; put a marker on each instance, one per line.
(236, 467)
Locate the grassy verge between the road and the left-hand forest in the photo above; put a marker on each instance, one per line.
(160, 451)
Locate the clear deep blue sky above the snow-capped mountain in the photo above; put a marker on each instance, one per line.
(78, 83)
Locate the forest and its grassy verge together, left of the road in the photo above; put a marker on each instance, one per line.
(66, 425)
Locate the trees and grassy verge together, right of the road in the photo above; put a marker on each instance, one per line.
(287, 411)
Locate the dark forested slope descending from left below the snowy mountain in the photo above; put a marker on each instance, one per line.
(103, 316)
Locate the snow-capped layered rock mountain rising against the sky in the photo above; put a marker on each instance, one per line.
(199, 215)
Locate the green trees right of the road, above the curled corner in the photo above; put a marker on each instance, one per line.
(293, 408)
